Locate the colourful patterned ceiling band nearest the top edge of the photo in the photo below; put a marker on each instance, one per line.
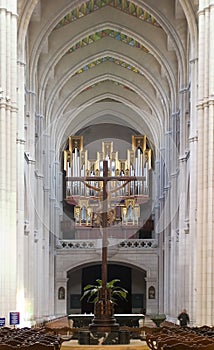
(93, 5)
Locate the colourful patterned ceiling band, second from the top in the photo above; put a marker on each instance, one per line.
(111, 33)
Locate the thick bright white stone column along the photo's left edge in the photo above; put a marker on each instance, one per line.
(8, 165)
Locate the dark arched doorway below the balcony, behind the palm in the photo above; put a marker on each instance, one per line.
(132, 279)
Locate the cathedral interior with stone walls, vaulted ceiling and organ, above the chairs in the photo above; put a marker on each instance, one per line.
(106, 141)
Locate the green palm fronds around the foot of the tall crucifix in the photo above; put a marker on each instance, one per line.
(91, 292)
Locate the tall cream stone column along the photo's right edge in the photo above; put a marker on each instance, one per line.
(205, 213)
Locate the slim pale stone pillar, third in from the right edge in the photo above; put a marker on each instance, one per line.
(183, 276)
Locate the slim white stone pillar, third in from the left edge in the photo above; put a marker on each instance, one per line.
(30, 207)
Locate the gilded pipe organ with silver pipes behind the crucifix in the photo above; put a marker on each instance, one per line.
(127, 186)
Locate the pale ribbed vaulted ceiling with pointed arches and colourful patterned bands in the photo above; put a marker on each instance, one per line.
(106, 62)
